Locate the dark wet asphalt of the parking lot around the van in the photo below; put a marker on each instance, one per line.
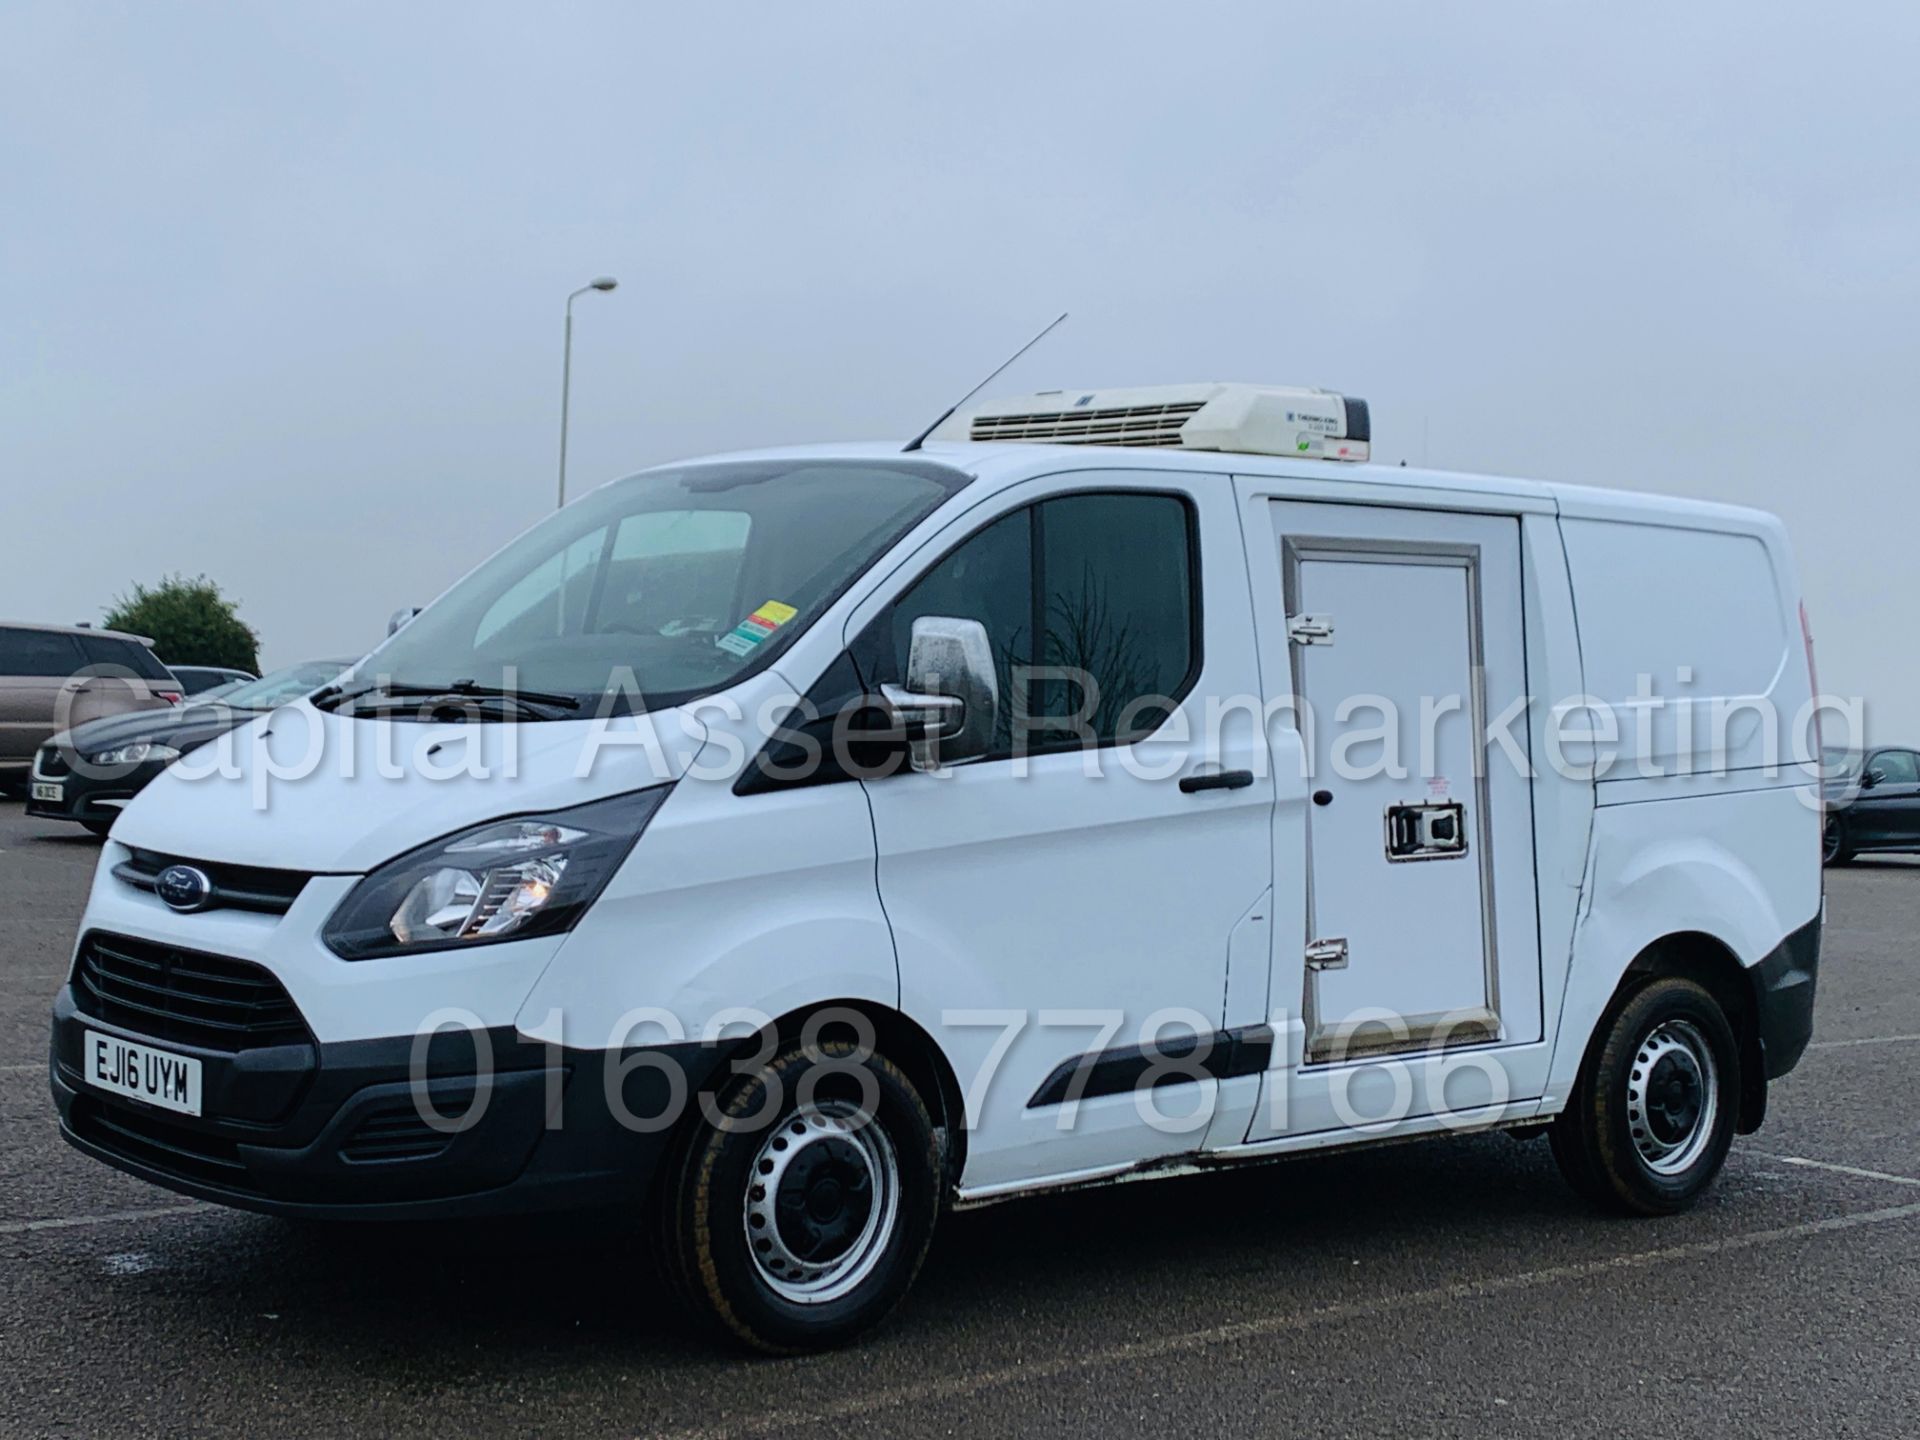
(1433, 1289)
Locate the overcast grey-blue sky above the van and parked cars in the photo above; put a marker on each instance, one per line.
(281, 285)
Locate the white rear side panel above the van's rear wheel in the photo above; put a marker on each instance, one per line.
(1704, 821)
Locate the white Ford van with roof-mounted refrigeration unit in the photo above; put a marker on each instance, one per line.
(790, 848)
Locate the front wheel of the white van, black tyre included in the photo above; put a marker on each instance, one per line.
(804, 1216)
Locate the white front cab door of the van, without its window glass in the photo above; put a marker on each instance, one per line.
(1065, 905)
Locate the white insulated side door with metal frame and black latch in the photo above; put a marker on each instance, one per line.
(1403, 644)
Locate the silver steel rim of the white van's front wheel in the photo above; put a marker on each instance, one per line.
(823, 1203)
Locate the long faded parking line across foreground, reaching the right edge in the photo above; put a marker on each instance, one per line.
(963, 1387)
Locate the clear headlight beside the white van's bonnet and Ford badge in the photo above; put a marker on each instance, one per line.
(496, 882)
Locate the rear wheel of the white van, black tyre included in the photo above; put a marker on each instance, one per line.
(1652, 1118)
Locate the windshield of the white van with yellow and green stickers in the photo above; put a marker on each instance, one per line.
(665, 587)
